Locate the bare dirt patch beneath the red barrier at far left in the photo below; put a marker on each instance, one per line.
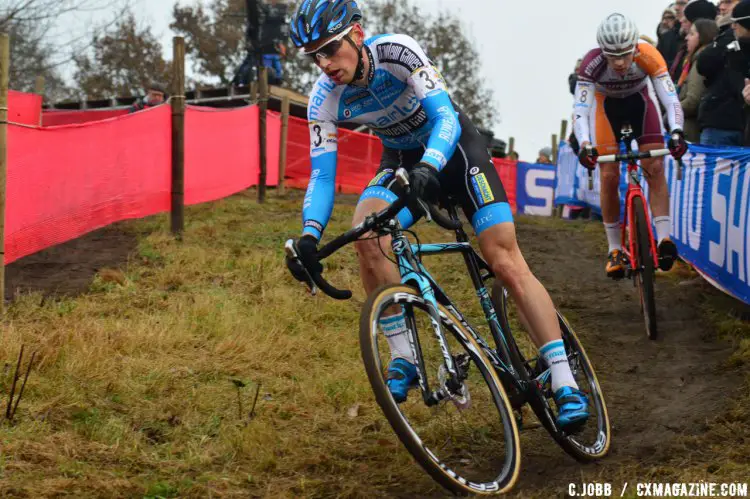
(68, 268)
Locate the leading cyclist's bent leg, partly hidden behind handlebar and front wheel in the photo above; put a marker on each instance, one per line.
(376, 269)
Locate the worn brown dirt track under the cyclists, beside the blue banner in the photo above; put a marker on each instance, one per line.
(655, 391)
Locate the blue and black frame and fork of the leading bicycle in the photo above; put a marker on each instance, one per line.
(413, 272)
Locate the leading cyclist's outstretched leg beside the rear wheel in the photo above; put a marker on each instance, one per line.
(474, 182)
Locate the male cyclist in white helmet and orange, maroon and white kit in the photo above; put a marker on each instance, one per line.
(619, 83)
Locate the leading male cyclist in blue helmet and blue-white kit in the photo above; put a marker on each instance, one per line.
(388, 83)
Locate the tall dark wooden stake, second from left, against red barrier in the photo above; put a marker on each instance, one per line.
(178, 137)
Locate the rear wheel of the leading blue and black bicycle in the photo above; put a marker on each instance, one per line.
(590, 443)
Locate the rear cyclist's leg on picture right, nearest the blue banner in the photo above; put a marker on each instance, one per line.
(652, 137)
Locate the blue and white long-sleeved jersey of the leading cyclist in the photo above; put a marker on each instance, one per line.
(405, 103)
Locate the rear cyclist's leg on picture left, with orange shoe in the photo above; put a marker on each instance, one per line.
(610, 115)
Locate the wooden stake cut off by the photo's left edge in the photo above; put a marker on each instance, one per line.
(4, 76)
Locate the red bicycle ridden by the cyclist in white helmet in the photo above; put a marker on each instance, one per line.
(641, 254)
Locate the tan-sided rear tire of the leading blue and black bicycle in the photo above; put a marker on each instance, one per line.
(542, 407)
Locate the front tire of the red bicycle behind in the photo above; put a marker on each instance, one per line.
(645, 260)
